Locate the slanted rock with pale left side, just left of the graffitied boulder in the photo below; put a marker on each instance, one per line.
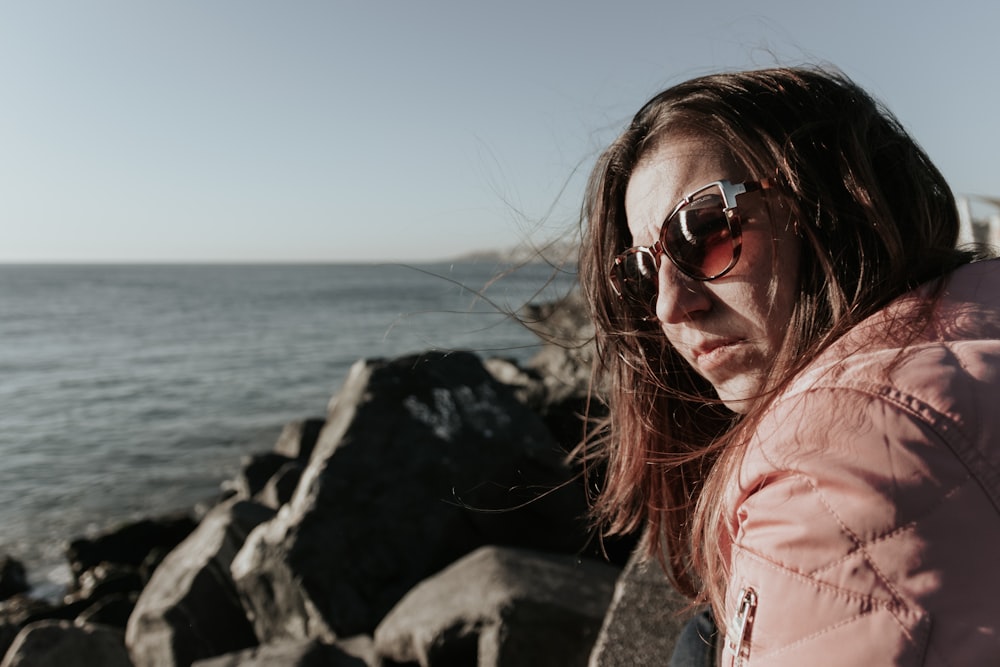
(189, 609)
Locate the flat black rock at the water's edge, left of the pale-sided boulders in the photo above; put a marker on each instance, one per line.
(130, 543)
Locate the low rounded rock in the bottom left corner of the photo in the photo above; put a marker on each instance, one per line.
(50, 643)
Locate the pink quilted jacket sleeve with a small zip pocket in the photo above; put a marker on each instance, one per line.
(828, 514)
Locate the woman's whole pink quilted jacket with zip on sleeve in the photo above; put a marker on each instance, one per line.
(867, 511)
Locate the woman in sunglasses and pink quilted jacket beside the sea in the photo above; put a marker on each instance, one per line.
(803, 374)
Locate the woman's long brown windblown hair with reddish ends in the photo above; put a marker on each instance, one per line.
(875, 218)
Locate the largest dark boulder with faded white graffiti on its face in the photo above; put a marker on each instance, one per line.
(422, 459)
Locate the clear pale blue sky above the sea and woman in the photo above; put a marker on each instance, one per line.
(242, 130)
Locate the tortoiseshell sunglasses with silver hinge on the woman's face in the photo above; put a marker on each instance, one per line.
(701, 236)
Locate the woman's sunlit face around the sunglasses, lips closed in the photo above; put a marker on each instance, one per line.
(729, 329)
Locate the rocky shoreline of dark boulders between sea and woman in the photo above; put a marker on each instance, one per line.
(431, 517)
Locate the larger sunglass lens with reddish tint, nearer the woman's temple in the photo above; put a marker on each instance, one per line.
(699, 238)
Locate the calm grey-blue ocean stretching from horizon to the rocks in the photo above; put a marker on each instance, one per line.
(130, 391)
